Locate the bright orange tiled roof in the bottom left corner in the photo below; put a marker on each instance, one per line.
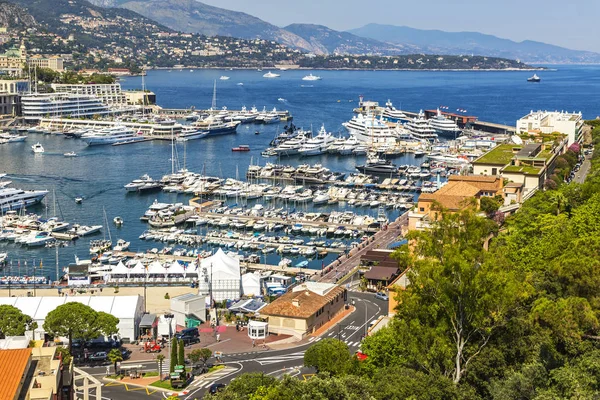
(14, 373)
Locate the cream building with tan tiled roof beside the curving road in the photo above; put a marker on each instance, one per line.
(305, 308)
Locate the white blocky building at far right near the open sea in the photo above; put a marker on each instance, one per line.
(569, 124)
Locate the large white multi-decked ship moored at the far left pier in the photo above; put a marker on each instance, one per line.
(36, 106)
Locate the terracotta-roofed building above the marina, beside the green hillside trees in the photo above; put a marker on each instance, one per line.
(458, 193)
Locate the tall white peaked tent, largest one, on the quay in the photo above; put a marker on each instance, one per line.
(220, 276)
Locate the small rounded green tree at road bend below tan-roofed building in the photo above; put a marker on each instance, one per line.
(328, 355)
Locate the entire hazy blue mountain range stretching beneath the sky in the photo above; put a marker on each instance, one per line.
(372, 39)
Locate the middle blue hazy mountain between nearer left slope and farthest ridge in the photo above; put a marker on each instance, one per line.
(329, 41)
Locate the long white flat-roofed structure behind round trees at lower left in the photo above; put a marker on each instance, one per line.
(129, 310)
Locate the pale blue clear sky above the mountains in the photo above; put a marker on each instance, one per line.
(568, 23)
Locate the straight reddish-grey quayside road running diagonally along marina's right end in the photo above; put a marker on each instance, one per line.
(380, 240)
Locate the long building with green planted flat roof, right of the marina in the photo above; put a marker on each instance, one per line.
(529, 164)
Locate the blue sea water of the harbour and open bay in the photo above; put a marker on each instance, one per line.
(99, 173)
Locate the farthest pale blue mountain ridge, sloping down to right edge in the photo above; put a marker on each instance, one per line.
(440, 42)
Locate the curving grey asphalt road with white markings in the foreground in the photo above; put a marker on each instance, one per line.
(272, 362)
